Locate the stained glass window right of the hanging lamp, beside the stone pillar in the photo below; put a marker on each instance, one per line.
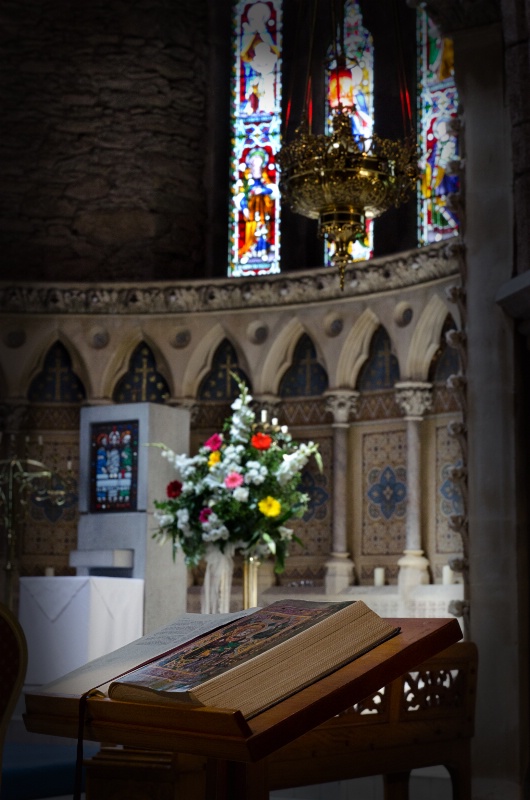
(437, 107)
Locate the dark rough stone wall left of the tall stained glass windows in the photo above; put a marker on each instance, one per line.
(103, 139)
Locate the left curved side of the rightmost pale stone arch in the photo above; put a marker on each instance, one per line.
(426, 339)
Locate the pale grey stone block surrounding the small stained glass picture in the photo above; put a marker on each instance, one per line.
(102, 537)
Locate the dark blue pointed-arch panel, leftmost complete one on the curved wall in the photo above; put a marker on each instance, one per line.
(57, 383)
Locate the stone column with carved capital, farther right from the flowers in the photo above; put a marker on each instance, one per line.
(414, 398)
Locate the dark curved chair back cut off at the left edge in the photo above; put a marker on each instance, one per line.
(13, 665)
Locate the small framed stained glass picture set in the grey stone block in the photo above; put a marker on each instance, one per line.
(113, 466)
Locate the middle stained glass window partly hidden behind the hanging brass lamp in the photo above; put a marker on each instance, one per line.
(358, 86)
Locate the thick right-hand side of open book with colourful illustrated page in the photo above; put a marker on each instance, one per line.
(260, 659)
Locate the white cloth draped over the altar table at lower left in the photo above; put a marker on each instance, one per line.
(71, 620)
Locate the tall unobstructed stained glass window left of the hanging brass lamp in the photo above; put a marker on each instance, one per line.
(254, 247)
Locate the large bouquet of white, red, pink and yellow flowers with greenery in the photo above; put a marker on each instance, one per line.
(239, 491)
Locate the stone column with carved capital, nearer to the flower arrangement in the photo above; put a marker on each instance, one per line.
(339, 568)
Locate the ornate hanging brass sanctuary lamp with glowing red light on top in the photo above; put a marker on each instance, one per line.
(343, 179)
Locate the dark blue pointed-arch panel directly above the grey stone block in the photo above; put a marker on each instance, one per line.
(142, 382)
